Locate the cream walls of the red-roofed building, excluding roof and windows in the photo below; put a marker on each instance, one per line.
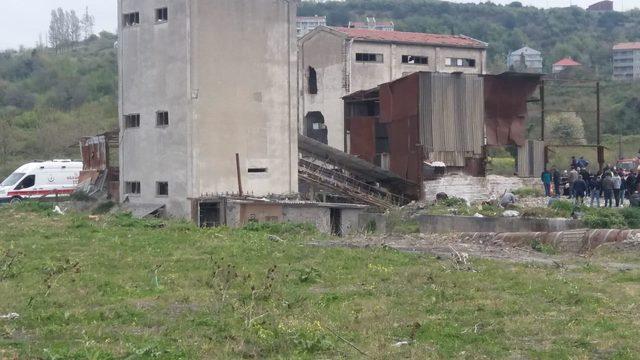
(334, 58)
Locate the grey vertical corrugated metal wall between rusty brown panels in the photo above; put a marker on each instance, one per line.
(451, 117)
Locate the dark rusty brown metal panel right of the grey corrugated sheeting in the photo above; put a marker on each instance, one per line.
(506, 98)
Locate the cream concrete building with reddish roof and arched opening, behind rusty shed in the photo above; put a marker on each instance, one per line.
(338, 61)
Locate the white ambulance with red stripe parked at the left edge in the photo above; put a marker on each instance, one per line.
(38, 180)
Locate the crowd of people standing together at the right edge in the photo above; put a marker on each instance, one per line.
(610, 187)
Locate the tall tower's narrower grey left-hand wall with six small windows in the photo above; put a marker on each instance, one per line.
(153, 69)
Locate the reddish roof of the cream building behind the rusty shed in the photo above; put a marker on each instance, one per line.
(411, 38)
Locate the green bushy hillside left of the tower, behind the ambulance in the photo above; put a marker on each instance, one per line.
(48, 100)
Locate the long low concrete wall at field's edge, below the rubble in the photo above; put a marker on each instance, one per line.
(449, 224)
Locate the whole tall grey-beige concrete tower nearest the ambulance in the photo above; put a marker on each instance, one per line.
(195, 92)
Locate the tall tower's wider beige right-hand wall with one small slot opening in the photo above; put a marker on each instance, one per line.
(244, 73)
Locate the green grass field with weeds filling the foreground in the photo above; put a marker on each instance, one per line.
(121, 288)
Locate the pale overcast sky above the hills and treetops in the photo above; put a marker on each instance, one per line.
(23, 21)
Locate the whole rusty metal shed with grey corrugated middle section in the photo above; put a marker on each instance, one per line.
(448, 118)
